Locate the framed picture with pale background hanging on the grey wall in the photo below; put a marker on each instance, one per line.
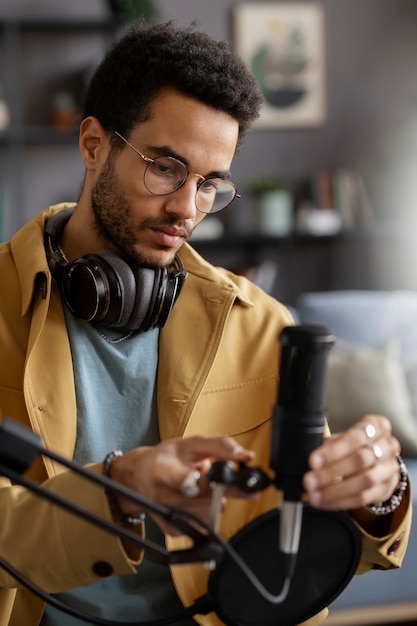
(283, 46)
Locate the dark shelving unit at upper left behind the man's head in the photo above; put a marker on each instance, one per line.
(40, 57)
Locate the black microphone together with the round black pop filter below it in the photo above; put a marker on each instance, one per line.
(293, 579)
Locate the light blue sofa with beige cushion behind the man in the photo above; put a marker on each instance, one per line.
(373, 368)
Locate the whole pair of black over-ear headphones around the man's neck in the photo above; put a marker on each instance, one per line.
(105, 289)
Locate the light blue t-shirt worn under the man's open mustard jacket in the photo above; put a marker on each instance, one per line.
(116, 410)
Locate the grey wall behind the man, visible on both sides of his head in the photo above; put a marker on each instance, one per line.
(371, 121)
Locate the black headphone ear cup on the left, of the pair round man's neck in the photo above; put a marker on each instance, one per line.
(100, 287)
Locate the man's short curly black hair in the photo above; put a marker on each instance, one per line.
(148, 58)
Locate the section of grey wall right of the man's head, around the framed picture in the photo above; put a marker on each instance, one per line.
(371, 126)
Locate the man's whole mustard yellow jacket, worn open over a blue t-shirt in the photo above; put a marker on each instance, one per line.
(218, 371)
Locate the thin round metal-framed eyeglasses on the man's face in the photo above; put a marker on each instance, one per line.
(164, 175)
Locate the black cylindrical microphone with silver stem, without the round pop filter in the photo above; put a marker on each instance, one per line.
(298, 424)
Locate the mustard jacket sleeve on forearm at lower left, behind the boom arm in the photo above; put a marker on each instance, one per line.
(52, 547)
